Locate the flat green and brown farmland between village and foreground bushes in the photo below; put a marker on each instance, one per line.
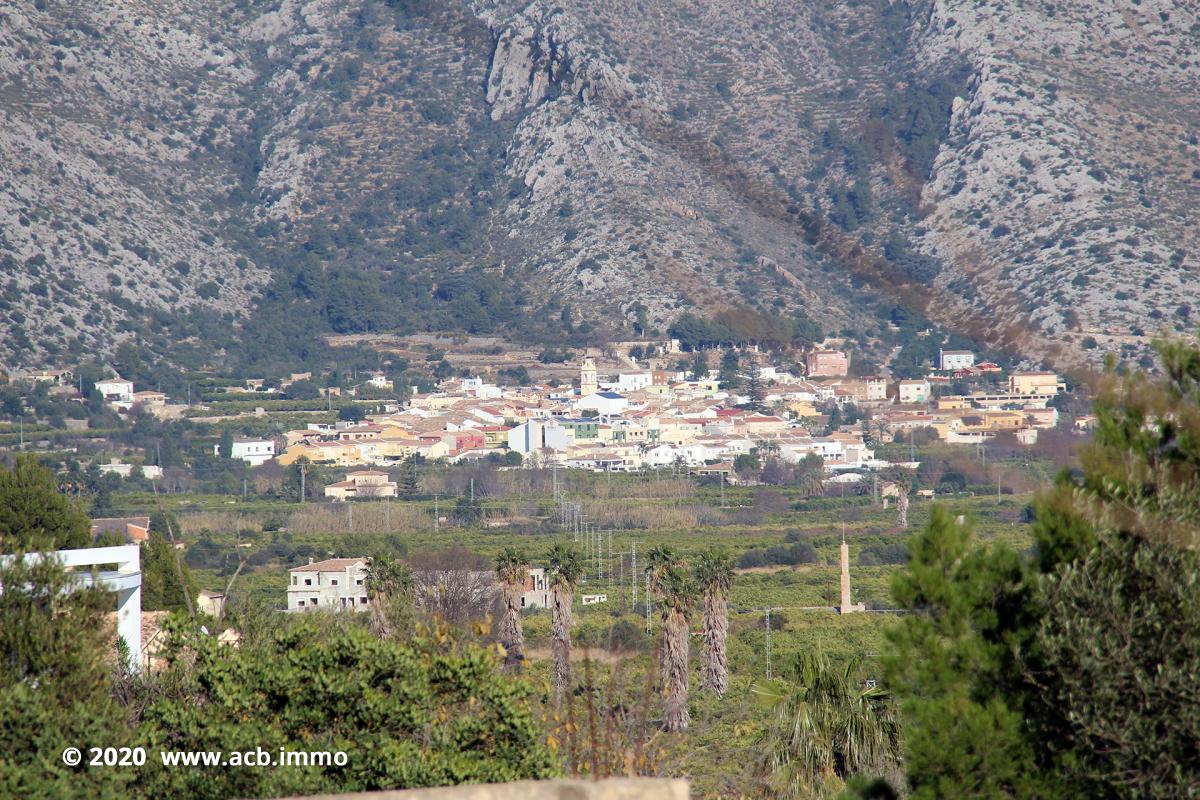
(783, 604)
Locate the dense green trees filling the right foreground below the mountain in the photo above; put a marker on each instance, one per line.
(1072, 673)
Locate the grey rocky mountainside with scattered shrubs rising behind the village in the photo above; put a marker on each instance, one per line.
(241, 177)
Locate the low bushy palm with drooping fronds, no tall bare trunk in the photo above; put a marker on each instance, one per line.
(827, 725)
